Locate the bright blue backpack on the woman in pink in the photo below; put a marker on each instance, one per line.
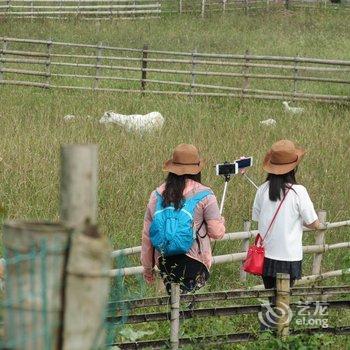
(172, 230)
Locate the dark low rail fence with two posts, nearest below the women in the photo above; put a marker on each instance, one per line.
(175, 312)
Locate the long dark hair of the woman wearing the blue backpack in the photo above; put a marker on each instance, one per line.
(174, 187)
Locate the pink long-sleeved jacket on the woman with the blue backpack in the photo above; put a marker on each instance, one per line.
(207, 210)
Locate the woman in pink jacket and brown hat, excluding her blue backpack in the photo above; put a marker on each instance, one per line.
(190, 269)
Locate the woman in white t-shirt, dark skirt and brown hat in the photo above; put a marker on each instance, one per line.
(282, 239)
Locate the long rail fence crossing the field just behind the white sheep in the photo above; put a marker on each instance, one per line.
(58, 65)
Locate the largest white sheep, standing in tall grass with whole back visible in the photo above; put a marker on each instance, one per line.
(136, 122)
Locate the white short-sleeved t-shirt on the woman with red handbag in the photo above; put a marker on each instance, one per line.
(284, 240)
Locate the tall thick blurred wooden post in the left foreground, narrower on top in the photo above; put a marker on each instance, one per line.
(87, 282)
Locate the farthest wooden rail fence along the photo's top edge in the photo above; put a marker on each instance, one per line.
(105, 9)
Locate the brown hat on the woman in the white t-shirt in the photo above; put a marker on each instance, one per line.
(283, 157)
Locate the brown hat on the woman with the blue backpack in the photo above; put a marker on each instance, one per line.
(185, 160)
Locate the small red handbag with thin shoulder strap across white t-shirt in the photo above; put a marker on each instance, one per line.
(254, 262)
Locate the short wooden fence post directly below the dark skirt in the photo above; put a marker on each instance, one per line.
(282, 304)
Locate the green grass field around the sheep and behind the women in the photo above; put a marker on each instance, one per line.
(32, 130)
